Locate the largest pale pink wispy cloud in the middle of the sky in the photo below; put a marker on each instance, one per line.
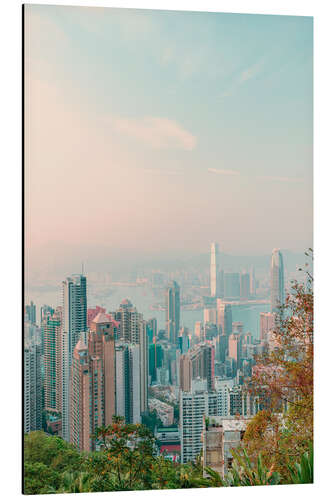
(156, 132)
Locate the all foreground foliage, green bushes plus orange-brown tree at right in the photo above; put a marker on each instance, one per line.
(277, 446)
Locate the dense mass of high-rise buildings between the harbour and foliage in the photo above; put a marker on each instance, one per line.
(101, 366)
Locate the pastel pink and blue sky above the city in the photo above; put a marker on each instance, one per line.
(174, 132)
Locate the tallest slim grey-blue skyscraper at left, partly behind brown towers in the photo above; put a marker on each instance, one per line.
(74, 322)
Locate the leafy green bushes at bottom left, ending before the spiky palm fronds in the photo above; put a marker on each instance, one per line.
(128, 462)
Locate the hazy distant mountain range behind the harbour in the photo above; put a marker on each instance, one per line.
(126, 264)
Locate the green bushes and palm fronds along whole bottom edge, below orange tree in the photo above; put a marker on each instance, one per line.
(128, 462)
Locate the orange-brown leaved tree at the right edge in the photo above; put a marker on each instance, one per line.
(283, 378)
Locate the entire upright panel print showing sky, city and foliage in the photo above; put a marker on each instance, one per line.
(168, 288)
